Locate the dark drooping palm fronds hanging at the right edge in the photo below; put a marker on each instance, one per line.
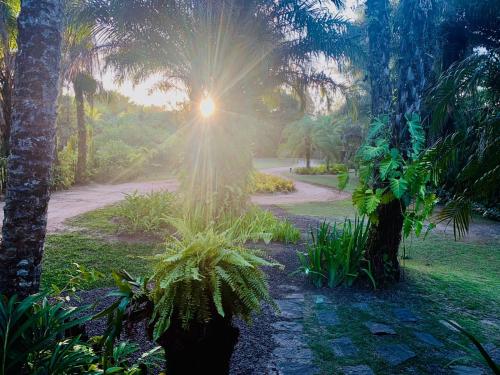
(472, 172)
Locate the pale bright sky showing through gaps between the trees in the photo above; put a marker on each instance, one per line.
(141, 94)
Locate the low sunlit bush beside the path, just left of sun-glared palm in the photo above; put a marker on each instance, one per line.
(148, 212)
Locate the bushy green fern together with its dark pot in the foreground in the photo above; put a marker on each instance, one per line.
(200, 283)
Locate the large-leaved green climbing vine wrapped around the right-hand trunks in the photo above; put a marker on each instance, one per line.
(388, 173)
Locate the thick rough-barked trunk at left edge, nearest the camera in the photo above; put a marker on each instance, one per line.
(31, 146)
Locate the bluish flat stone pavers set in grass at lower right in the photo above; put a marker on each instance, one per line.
(305, 319)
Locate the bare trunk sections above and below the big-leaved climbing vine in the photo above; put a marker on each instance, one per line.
(384, 237)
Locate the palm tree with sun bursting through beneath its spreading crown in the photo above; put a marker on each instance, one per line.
(237, 51)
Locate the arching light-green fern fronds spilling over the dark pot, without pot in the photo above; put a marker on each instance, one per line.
(204, 274)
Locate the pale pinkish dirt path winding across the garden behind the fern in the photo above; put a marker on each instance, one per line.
(66, 204)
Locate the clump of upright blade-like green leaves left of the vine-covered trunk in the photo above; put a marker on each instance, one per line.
(335, 255)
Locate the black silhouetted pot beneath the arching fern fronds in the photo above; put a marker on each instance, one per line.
(203, 349)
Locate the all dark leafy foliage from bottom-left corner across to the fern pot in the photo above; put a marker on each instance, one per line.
(39, 336)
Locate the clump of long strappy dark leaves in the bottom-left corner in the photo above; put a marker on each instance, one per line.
(32, 336)
